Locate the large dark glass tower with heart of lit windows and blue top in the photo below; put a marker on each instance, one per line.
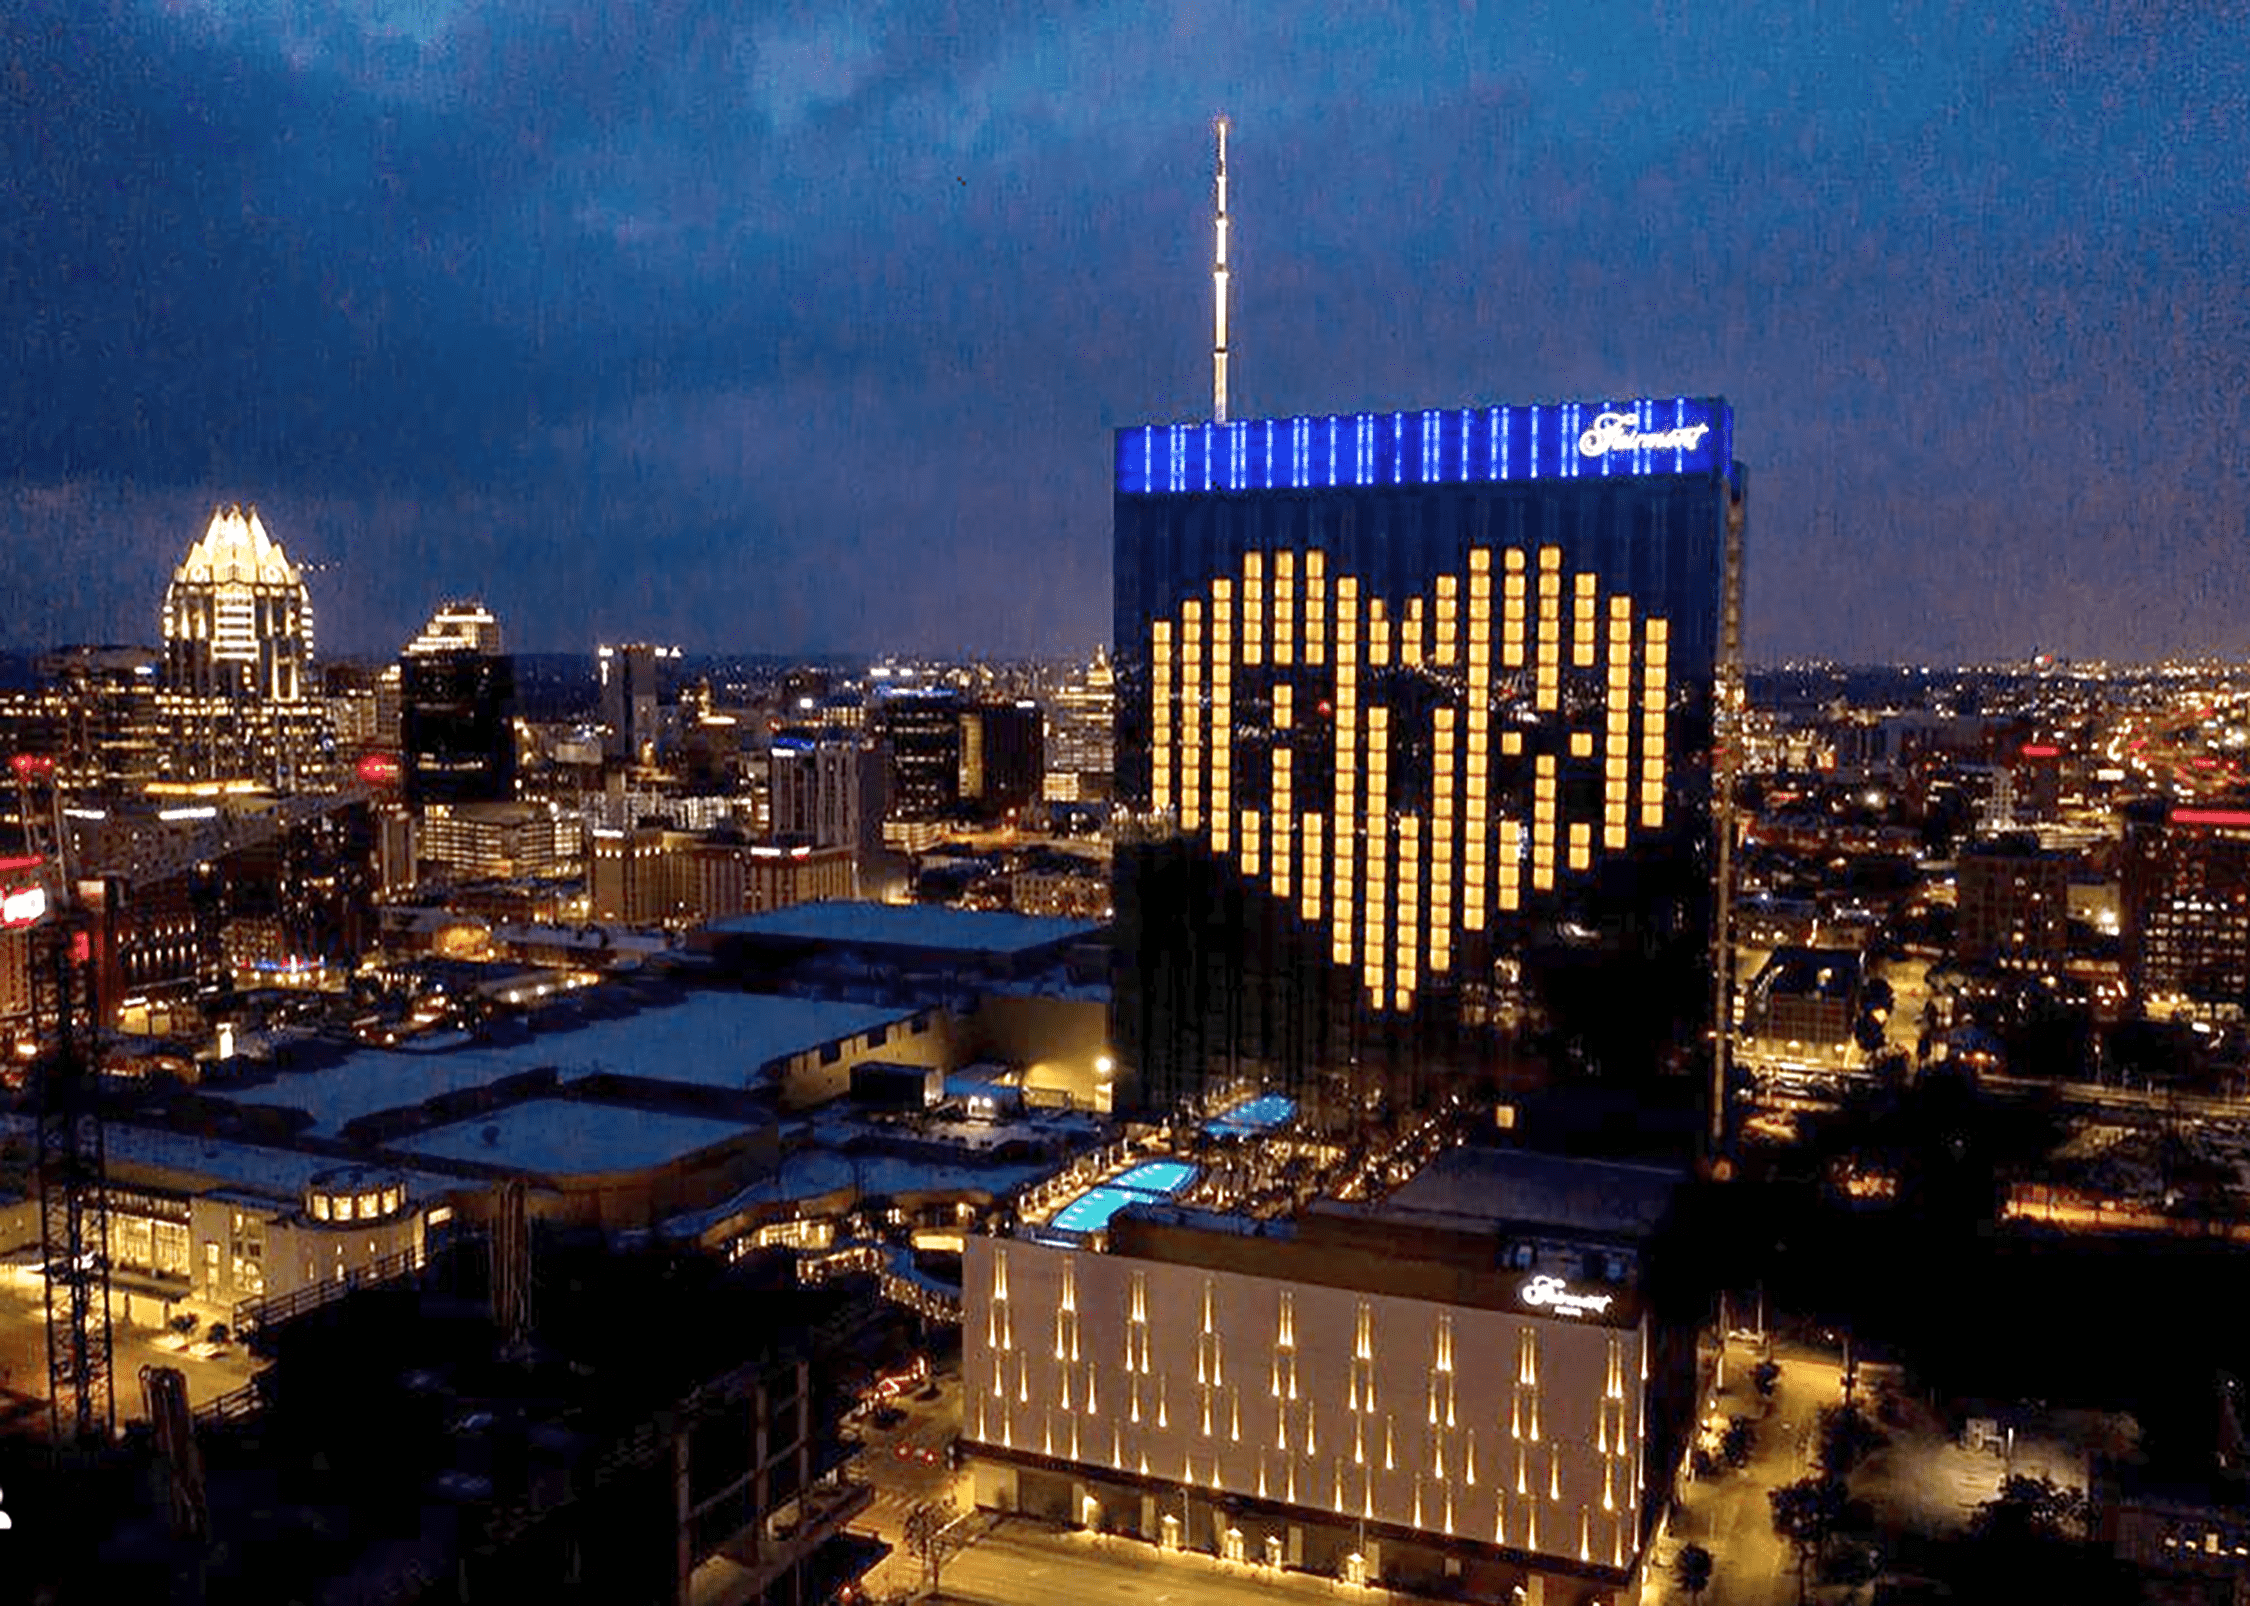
(1416, 743)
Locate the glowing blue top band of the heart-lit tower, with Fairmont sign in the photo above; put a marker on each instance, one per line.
(1432, 446)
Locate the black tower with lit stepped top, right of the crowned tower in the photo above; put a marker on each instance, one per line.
(458, 710)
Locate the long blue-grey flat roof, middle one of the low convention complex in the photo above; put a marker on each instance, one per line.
(719, 1040)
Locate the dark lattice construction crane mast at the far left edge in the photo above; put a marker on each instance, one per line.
(73, 1164)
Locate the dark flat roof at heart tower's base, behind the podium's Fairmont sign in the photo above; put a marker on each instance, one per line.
(1538, 1191)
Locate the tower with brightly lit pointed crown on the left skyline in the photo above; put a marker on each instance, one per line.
(237, 683)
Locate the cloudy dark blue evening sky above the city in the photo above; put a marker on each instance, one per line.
(771, 327)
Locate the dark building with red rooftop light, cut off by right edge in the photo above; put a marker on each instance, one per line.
(2186, 896)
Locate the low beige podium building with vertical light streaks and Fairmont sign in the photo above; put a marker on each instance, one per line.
(1466, 1389)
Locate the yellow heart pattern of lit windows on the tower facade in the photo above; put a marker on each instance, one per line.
(1378, 739)
